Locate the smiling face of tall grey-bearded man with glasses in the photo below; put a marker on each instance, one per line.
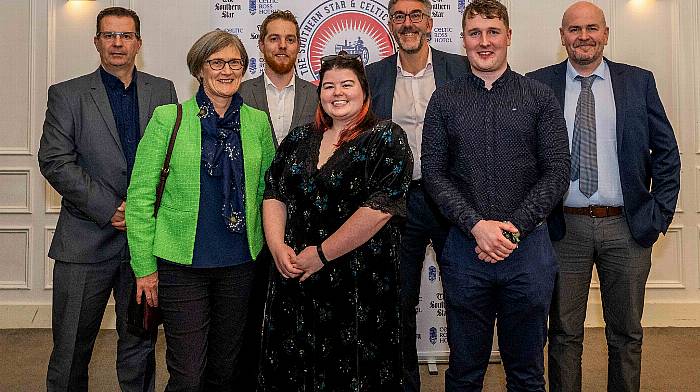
(411, 37)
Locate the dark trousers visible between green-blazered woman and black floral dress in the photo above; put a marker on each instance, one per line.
(246, 373)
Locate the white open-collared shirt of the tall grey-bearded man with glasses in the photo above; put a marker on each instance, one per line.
(411, 97)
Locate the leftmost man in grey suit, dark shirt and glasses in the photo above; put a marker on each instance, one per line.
(92, 128)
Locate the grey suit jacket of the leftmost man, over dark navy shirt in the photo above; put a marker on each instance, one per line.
(81, 156)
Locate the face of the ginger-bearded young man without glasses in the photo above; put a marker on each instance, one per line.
(280, 46)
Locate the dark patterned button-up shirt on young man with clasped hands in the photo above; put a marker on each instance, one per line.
(498, 154)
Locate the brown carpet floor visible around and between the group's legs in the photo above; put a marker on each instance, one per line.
(671, 362)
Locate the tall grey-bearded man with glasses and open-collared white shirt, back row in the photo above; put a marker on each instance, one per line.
(401, 86)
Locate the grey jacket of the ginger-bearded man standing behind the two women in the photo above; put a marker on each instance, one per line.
(305, 101)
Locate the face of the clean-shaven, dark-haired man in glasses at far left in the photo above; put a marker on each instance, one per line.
(118, 53)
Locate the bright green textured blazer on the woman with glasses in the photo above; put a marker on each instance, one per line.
(171, 235)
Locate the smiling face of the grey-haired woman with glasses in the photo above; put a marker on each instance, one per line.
(224, 83)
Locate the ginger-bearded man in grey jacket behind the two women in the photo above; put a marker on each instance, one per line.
(288, 100)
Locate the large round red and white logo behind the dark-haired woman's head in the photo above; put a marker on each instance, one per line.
(355, 26)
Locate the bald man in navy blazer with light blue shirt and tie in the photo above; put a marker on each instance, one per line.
(625, 179)
